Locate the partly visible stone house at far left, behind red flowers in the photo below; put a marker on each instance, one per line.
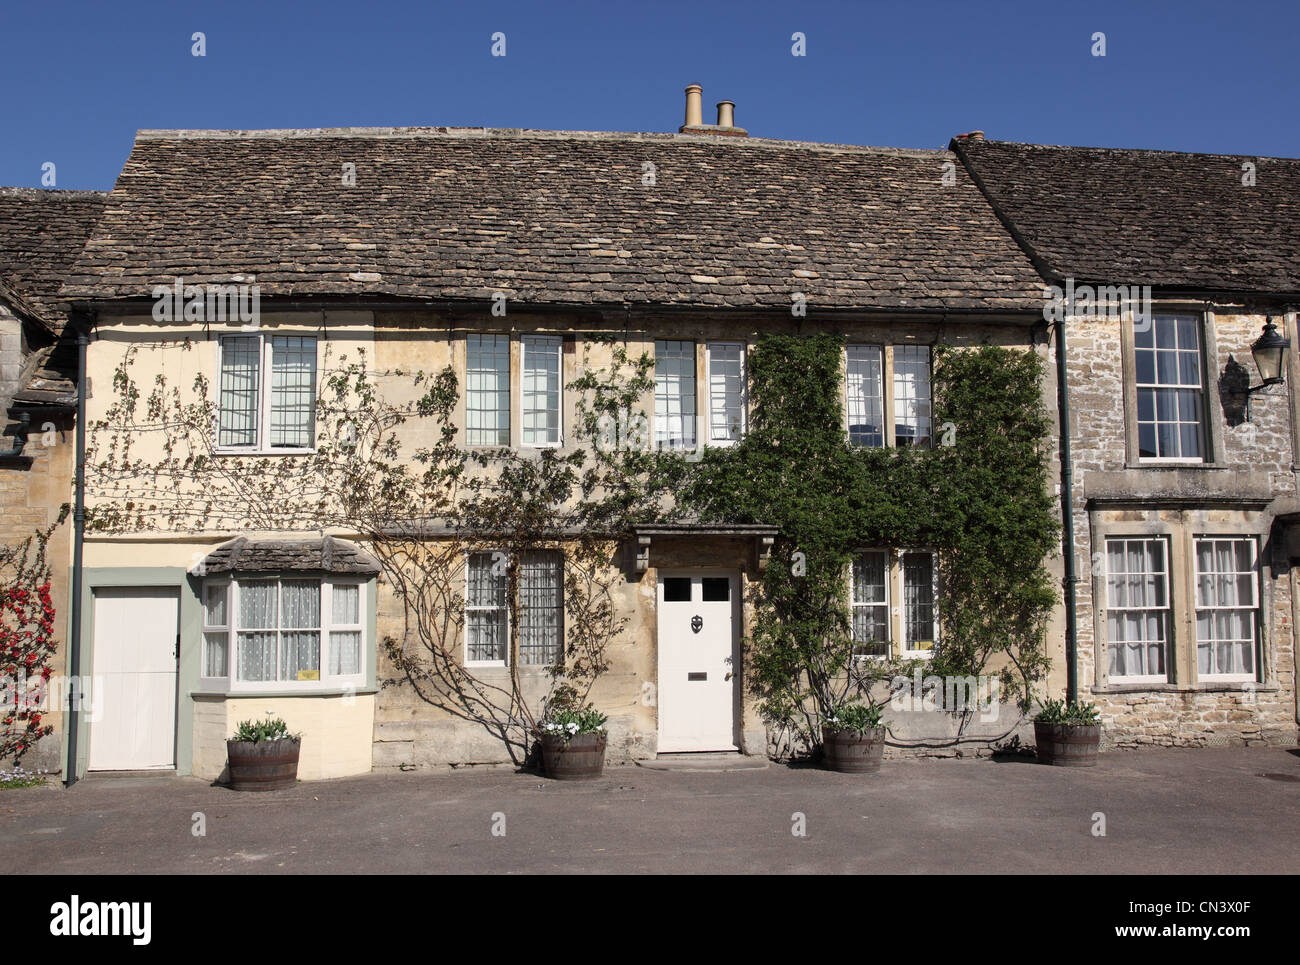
(41, 235)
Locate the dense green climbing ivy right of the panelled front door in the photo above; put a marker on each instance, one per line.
(980, 500)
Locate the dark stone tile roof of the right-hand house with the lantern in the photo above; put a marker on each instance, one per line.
(1147, 218)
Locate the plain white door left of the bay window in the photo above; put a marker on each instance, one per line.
(135, 686)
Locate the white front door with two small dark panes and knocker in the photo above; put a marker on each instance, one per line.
(697, 654)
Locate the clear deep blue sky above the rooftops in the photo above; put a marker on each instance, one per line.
(83, 77)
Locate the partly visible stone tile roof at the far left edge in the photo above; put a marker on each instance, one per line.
(42, 233)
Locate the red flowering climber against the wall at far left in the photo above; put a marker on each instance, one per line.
(27, 644)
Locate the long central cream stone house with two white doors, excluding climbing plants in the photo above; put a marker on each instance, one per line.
(504, 254)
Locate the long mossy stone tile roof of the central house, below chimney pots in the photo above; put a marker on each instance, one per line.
(558, 218)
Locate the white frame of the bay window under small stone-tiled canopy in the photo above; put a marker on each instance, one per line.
(327, 682)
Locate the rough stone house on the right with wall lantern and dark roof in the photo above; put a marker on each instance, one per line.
(1184, 492)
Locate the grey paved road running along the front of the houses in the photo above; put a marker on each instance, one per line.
(1167, 812)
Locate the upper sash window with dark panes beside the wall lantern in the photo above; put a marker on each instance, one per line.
(1171, 388)
